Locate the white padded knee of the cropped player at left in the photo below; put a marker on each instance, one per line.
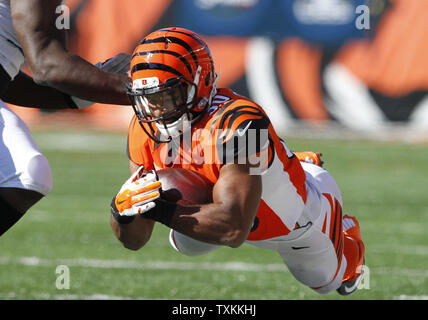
(38, 175)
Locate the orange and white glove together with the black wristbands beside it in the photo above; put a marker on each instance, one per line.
(141, 196)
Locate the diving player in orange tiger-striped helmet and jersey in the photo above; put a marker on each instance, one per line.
(263, 193)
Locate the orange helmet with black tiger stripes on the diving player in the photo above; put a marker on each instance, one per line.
(172, 80)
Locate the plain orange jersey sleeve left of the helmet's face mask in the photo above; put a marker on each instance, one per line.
(138, 146)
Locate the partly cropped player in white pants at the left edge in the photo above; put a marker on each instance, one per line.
(28, 32)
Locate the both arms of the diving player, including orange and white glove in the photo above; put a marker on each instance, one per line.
(226, 221)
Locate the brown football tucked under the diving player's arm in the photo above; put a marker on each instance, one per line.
(185, 186)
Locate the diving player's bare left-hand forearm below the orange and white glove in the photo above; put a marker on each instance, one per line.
(136, 234)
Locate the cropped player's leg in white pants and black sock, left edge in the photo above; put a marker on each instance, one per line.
(25, 174)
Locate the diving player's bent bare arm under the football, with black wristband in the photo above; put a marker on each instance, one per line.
(228, 220)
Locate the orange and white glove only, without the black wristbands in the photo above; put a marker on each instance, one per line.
(137, 194)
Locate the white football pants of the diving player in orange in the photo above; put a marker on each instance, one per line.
(308, 252)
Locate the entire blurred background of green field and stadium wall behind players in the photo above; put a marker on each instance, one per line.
(332, 79)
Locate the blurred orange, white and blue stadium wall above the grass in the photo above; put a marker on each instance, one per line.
(314, 64)
